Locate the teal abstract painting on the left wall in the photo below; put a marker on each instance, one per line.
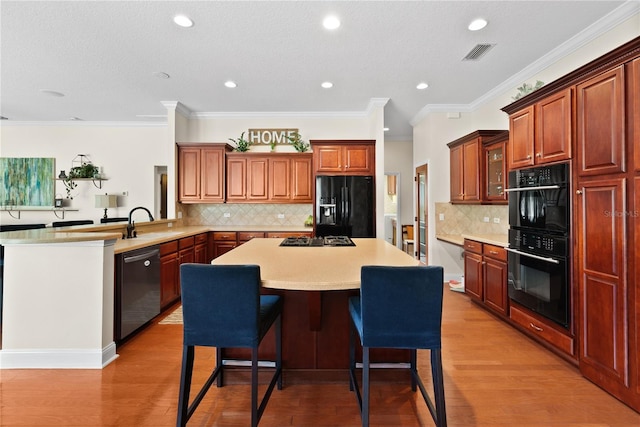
(26, 181)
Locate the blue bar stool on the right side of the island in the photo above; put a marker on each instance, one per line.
(399, 307)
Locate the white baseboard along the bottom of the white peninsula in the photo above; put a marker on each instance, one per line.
(58, 358)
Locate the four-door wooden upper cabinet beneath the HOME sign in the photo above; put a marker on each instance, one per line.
(269, 177)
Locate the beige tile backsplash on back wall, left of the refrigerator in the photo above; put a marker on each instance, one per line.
(246, 214)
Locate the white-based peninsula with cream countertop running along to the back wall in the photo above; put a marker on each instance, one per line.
(58, 290)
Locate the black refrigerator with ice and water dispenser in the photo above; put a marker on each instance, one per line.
(345, 206)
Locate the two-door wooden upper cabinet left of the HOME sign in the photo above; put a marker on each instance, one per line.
(201, 173)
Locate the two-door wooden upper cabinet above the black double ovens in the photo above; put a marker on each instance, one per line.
(541, 133)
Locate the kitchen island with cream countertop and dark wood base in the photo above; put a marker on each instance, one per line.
(315, 283)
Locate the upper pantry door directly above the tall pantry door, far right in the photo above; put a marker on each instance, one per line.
(600, 124)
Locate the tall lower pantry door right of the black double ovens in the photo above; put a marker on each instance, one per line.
(601, 275)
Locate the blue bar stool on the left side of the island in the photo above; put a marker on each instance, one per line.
(222, 307)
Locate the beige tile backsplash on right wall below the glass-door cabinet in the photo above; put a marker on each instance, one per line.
(465, 219)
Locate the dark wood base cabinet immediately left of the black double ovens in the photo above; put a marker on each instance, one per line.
(485, 275)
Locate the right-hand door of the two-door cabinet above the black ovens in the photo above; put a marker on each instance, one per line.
(553, 128)
